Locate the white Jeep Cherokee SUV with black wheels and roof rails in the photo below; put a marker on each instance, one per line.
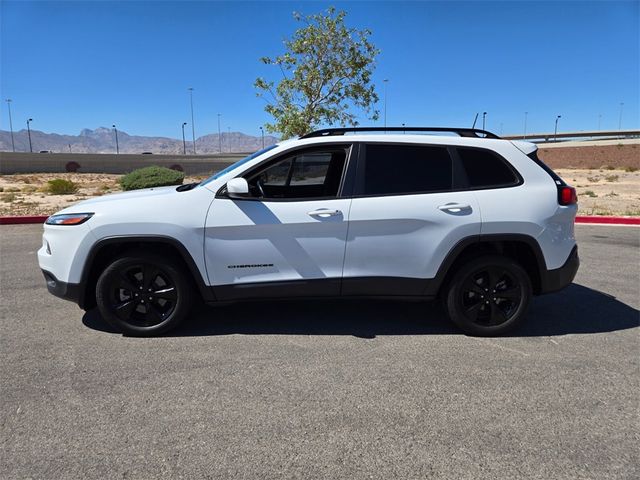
(473, 219)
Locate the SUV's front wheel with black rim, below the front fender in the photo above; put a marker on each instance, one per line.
(143, 294)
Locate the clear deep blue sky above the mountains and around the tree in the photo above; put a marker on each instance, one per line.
(84, 64)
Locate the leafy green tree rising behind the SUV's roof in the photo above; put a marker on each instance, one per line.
(326, 72)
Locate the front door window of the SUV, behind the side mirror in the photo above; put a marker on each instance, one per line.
(304, 174)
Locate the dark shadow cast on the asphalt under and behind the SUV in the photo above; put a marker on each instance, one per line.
(575, 310)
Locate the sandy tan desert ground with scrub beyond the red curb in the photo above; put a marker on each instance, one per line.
(604, 191)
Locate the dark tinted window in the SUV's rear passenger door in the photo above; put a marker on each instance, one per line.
(398, 169)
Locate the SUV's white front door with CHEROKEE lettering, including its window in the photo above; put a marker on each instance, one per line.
(288, 238)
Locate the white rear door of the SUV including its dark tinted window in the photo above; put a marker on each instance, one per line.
(406, 215)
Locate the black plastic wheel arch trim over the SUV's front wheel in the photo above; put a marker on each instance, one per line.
(107, 249)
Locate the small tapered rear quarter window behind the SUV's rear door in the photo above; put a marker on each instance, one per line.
(486, 169)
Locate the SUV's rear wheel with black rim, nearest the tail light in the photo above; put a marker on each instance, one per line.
(488, 296)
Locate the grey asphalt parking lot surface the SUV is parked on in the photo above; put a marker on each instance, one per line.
(351, 389)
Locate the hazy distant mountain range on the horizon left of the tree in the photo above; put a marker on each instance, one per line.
(102, 140)
